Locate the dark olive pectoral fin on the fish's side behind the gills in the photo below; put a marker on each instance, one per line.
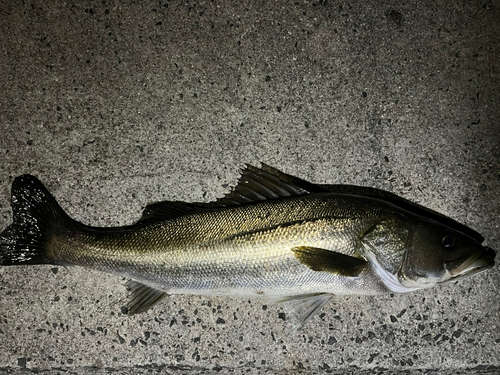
(329, 261)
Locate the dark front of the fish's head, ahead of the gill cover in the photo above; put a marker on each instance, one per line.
(436, 253)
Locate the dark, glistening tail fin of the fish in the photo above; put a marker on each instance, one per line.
(35, 216)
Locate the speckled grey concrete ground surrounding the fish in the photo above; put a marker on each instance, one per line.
(117, 104)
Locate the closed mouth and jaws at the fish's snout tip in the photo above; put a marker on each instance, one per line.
(477, 262)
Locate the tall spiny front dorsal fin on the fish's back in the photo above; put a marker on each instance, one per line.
(260, 184)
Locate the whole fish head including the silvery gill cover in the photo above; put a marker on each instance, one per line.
(410, 252)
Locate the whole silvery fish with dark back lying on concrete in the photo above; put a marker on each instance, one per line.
(273, 236)
